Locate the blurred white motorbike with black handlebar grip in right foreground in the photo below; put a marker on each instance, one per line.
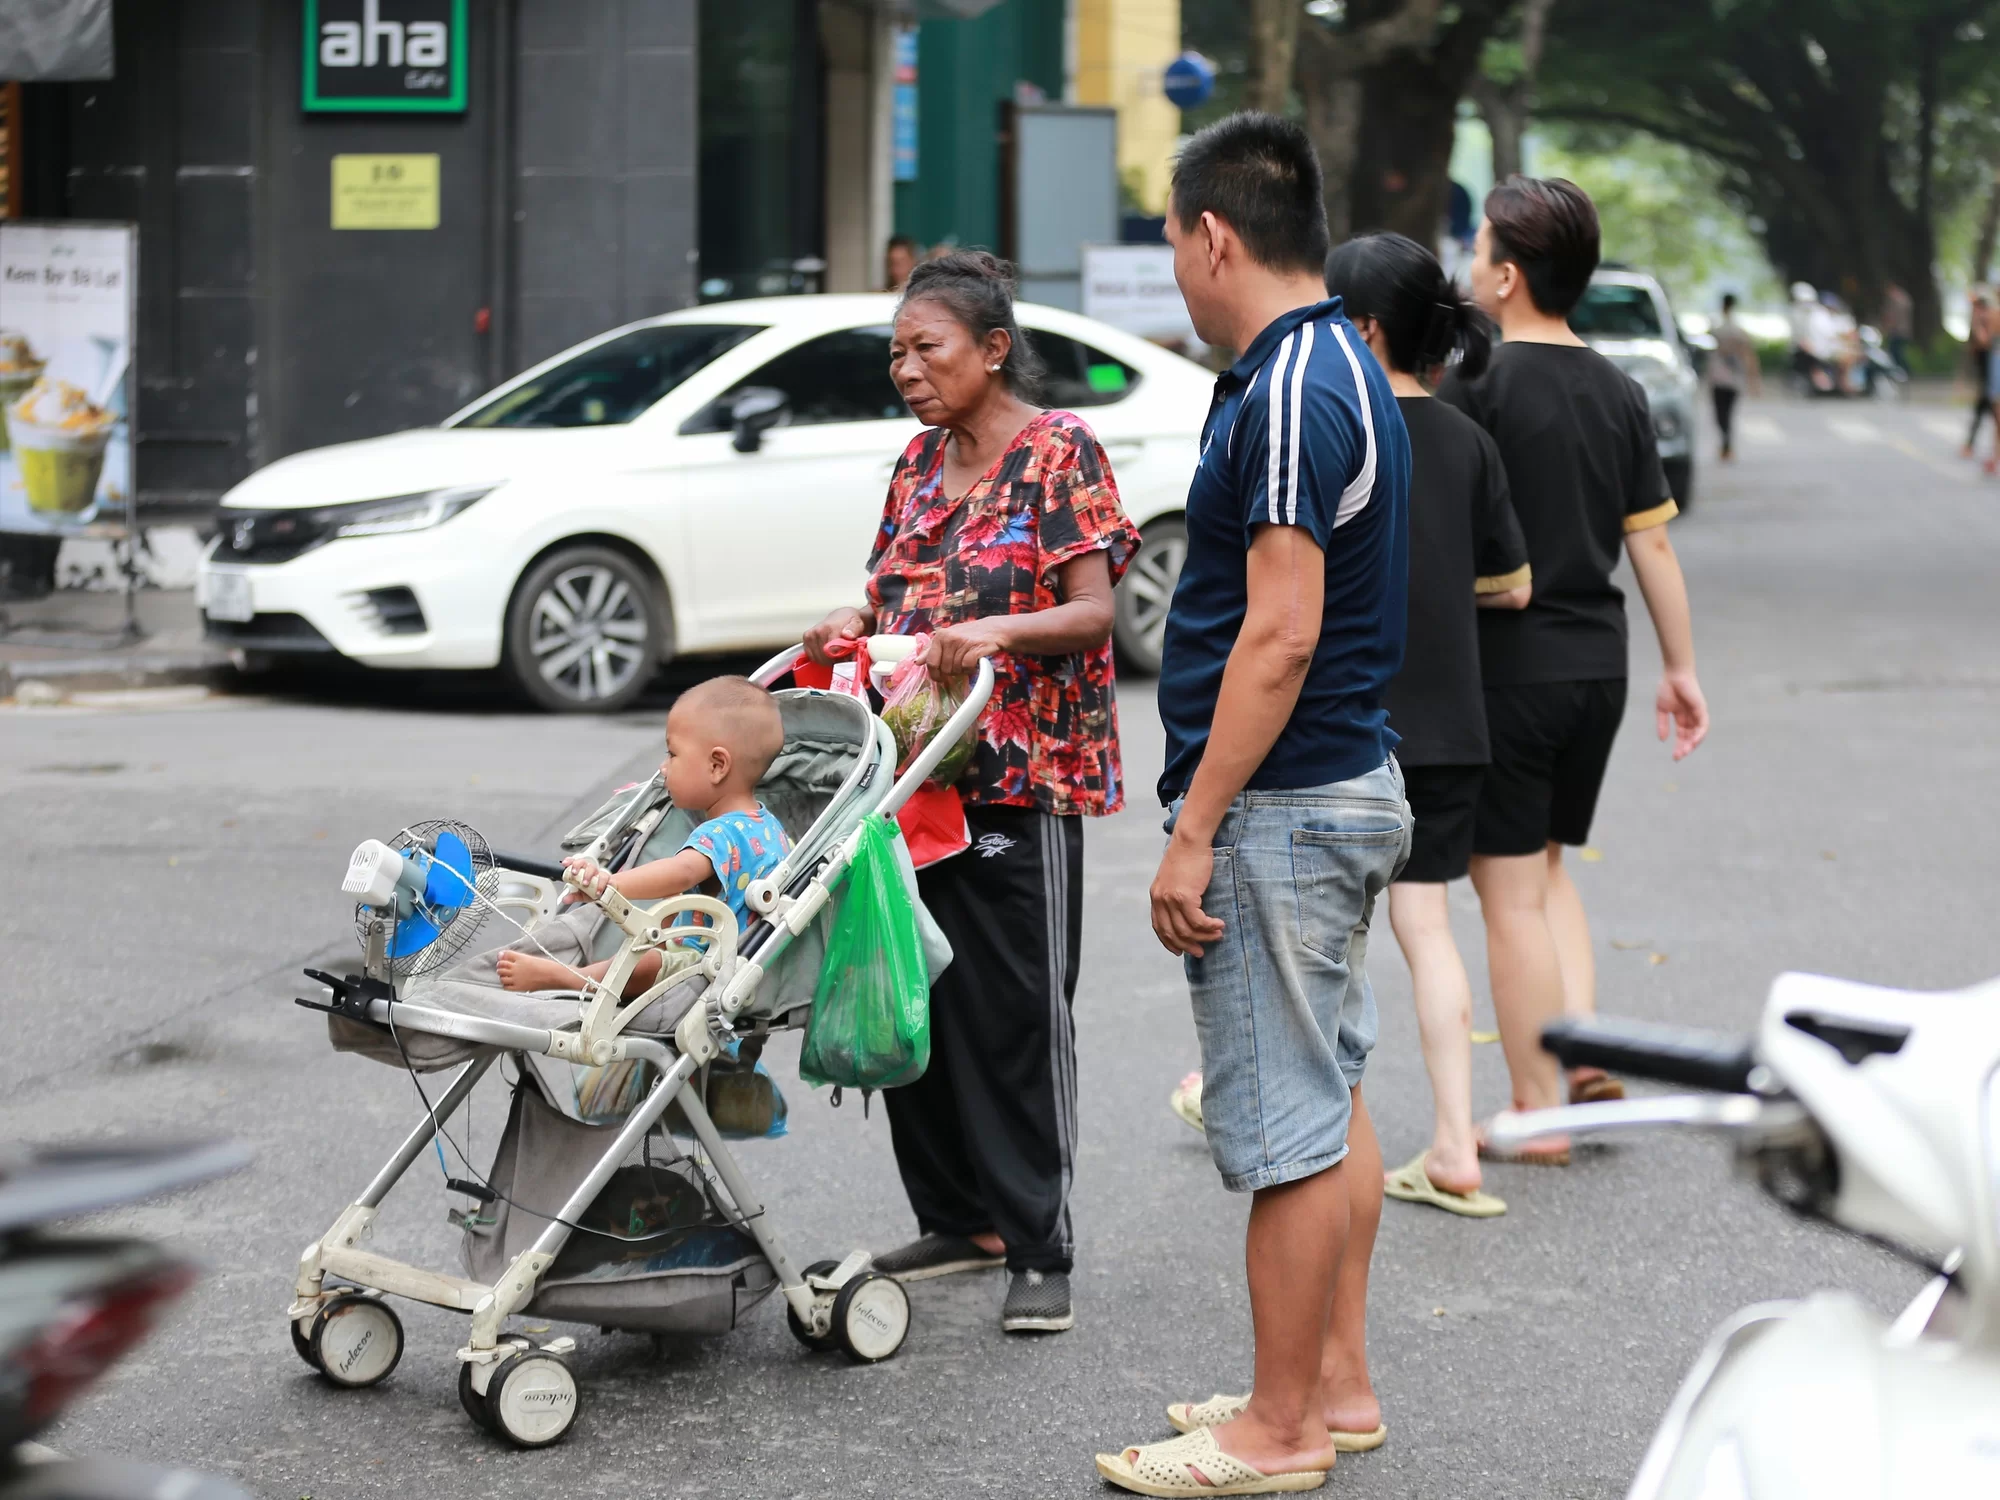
(1879, 1113)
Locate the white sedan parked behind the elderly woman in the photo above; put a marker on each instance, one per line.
(697, 483)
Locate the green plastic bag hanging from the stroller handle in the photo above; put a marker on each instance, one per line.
(871, 1011)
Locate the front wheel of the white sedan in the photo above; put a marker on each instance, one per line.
(585, 631)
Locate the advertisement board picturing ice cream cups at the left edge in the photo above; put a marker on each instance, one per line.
(67, 315)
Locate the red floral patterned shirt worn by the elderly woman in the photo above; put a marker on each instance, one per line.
(1049, 737)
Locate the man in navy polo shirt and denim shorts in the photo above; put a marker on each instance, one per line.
(1287, 805)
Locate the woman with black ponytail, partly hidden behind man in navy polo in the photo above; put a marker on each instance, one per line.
(1465, 553)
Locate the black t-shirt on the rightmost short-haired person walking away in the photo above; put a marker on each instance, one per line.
(1583, 469)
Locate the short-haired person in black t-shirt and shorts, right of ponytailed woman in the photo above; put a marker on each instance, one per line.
(1585, 475)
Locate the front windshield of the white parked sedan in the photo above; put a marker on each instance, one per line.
(613, 381)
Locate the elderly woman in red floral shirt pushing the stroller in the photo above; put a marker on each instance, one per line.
(1003, 539)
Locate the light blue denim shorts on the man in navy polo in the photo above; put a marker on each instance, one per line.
(1283, 1001)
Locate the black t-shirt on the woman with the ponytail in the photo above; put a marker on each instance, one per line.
(1463, 543)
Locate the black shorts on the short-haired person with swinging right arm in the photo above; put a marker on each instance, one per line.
(1551, 743)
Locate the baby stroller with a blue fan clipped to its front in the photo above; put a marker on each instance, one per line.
(579, 1219)
